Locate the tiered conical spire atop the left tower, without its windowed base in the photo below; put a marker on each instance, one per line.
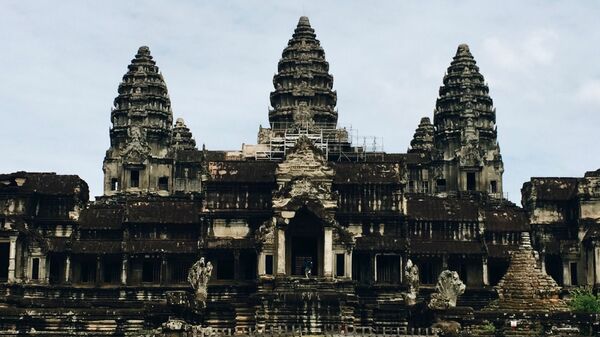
(142, 106)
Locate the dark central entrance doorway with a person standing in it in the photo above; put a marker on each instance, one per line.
(305, 235)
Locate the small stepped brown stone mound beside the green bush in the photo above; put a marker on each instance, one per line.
(525, 287)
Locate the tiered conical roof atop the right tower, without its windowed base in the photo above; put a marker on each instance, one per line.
(464, 96)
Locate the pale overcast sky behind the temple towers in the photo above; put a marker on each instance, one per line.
(62, 62)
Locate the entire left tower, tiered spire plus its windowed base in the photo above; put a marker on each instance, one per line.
(141, 131)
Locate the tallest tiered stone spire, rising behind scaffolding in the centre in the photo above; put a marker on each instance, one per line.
(303, 87)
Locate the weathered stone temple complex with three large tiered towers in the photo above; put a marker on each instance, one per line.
(303, 230)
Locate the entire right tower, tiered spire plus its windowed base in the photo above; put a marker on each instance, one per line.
(467, 155)
